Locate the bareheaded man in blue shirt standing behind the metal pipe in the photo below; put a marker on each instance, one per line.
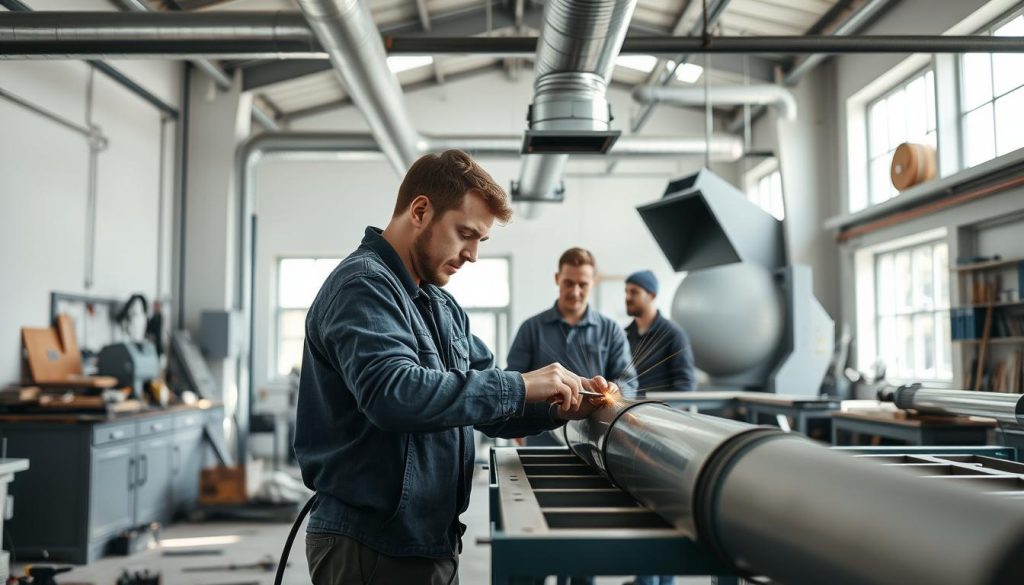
(574, 335)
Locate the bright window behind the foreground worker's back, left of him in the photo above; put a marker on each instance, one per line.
(298, 282)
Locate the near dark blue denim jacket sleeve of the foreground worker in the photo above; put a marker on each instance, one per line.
(373, 345)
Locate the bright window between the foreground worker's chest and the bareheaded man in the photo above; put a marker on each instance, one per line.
(484, 290)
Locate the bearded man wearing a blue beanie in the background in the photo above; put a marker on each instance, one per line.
(662, 353)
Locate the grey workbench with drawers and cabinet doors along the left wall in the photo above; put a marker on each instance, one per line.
(94, 477)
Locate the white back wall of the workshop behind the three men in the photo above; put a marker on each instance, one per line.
(321, 208)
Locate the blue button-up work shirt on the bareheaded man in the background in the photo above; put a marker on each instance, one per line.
(594, 347)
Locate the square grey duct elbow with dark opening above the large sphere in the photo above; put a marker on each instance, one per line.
(704, 222)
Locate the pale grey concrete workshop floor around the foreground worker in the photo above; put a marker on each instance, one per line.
(255, 541)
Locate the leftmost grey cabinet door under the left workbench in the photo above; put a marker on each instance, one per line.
(113, 488)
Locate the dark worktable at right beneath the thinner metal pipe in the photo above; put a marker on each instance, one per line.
(912, 431)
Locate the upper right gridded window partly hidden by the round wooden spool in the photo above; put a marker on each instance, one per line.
(907, 114)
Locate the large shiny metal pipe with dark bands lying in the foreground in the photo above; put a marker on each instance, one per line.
(781, 506)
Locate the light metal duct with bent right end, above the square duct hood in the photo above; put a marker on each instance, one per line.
(767, 95)
